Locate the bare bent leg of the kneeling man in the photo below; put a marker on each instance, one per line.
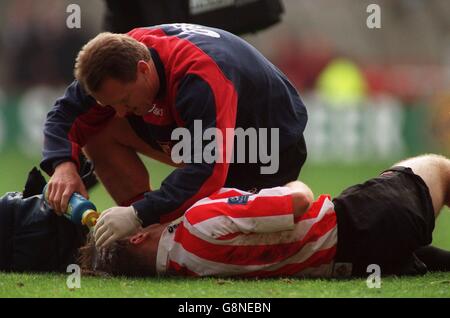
(117, 164)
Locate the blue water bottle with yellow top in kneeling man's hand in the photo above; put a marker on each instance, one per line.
(79, 210)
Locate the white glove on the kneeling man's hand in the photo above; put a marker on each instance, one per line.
(114, 224)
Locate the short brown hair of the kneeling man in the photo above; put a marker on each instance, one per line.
(109, 55)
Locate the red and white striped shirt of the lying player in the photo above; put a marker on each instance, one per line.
(237, 233)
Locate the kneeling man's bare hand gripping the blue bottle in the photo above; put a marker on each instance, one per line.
(64, 182)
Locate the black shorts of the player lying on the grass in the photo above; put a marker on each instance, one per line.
(383, 221)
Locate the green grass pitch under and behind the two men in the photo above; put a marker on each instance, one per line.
(329, 179)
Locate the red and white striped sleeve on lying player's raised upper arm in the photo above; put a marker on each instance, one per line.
(271, 210)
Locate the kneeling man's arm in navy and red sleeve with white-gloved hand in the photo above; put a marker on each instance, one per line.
(214, 104)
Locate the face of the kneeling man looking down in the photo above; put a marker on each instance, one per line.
(134, 97)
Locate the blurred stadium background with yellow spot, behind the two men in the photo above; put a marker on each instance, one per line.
(373, 95)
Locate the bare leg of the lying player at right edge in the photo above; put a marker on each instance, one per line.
(435, 171)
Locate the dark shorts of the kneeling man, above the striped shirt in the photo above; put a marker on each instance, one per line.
(248, 176)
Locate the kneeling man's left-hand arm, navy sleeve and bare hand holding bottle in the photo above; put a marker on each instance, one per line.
(72, 119)
